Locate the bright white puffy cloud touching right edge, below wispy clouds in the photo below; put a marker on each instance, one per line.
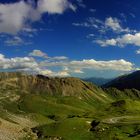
(127, 39)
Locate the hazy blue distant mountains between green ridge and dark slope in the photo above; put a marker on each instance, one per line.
(97, 81)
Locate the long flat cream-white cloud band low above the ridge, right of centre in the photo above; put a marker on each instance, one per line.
(115, 65)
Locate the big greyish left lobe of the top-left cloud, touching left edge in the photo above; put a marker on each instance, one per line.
(14, 16)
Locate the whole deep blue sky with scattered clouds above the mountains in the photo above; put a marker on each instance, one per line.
(78, 38)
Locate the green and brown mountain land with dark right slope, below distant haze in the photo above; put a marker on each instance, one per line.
(36, 107)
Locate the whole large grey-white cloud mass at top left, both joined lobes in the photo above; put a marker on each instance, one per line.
(16, 16)
